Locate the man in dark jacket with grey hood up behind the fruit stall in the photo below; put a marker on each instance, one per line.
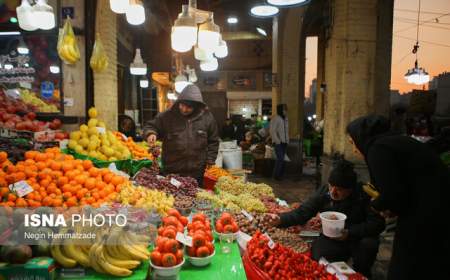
(189, 134)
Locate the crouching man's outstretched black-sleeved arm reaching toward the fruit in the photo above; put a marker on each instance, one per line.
(306, 211)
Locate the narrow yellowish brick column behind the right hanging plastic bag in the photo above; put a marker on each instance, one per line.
(105, 83)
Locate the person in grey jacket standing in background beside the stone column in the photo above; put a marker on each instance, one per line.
(279, 131)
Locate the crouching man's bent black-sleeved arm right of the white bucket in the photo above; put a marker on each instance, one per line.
(372, 226)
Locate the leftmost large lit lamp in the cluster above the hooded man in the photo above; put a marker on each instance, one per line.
(184, 31)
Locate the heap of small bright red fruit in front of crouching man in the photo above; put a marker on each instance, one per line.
(283, 263)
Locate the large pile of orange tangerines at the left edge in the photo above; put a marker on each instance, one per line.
(58, 180)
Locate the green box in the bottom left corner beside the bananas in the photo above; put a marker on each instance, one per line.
(41, 268)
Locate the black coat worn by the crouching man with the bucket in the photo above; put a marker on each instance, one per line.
(361, 220)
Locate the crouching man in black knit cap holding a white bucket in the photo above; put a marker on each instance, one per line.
(359, 239)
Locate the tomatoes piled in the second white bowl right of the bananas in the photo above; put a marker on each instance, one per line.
(200, 231)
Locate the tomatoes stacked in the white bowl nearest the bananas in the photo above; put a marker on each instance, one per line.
(168, 251)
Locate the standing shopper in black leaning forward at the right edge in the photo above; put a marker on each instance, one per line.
(414, 185)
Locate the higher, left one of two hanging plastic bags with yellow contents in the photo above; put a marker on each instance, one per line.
(67, 46)
